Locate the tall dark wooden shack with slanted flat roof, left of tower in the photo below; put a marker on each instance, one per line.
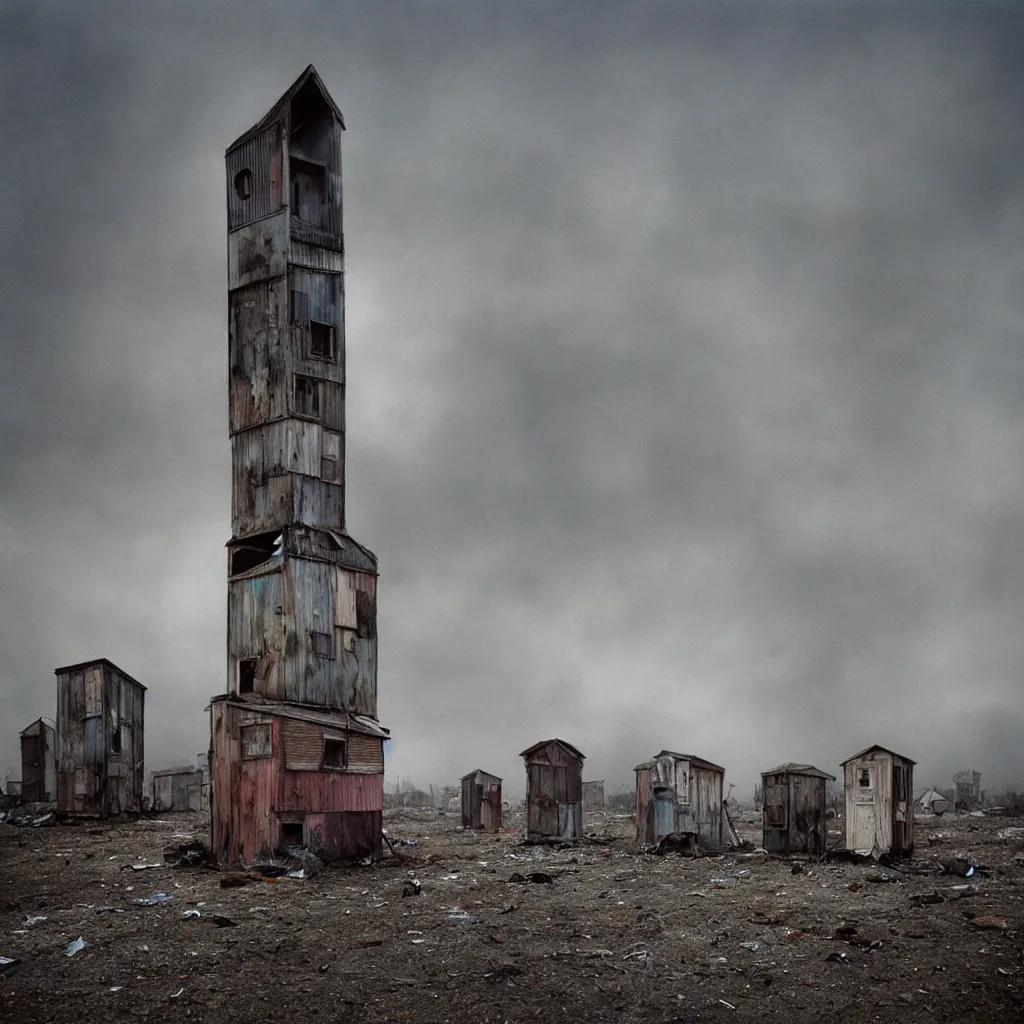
(101, 741)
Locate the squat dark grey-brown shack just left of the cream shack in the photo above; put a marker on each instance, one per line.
(794, 810)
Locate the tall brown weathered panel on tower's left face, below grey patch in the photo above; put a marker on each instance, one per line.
(258, 357)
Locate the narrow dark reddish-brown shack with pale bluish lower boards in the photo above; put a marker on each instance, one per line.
(554, 792)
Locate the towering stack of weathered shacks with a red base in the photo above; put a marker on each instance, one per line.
(296, 751)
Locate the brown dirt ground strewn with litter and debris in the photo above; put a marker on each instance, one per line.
(615, 936)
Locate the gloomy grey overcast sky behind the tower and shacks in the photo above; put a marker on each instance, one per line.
(686, 379)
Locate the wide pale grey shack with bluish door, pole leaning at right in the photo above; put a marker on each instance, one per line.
(680, 794)
